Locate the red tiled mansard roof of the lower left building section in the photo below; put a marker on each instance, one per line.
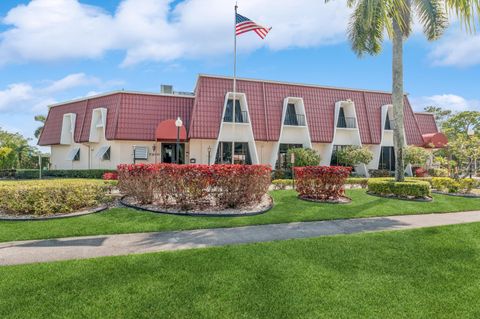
(130, 116)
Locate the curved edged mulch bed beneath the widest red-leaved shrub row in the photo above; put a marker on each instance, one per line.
(265, 205)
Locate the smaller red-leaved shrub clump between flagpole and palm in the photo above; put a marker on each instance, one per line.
(321, 182)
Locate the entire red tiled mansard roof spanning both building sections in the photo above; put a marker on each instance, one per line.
(135, 116)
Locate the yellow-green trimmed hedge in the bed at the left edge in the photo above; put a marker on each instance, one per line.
(48, 197)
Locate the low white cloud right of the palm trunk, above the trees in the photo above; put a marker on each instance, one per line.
(448, 101)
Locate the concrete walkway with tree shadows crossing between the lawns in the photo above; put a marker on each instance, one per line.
(23, 252)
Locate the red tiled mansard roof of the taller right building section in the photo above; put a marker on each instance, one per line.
(265, 103)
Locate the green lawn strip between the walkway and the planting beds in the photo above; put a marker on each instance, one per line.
(287, 209)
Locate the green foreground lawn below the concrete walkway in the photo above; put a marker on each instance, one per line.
(425, 273)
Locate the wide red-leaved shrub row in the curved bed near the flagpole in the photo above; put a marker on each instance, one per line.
(195, 186)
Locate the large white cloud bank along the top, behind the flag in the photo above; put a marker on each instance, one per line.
(146, 30)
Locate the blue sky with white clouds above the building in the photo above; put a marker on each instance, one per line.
(55, 50)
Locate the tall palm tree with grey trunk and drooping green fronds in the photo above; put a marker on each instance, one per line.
(368, 23)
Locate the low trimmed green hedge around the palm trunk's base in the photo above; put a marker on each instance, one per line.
(407, 189)
